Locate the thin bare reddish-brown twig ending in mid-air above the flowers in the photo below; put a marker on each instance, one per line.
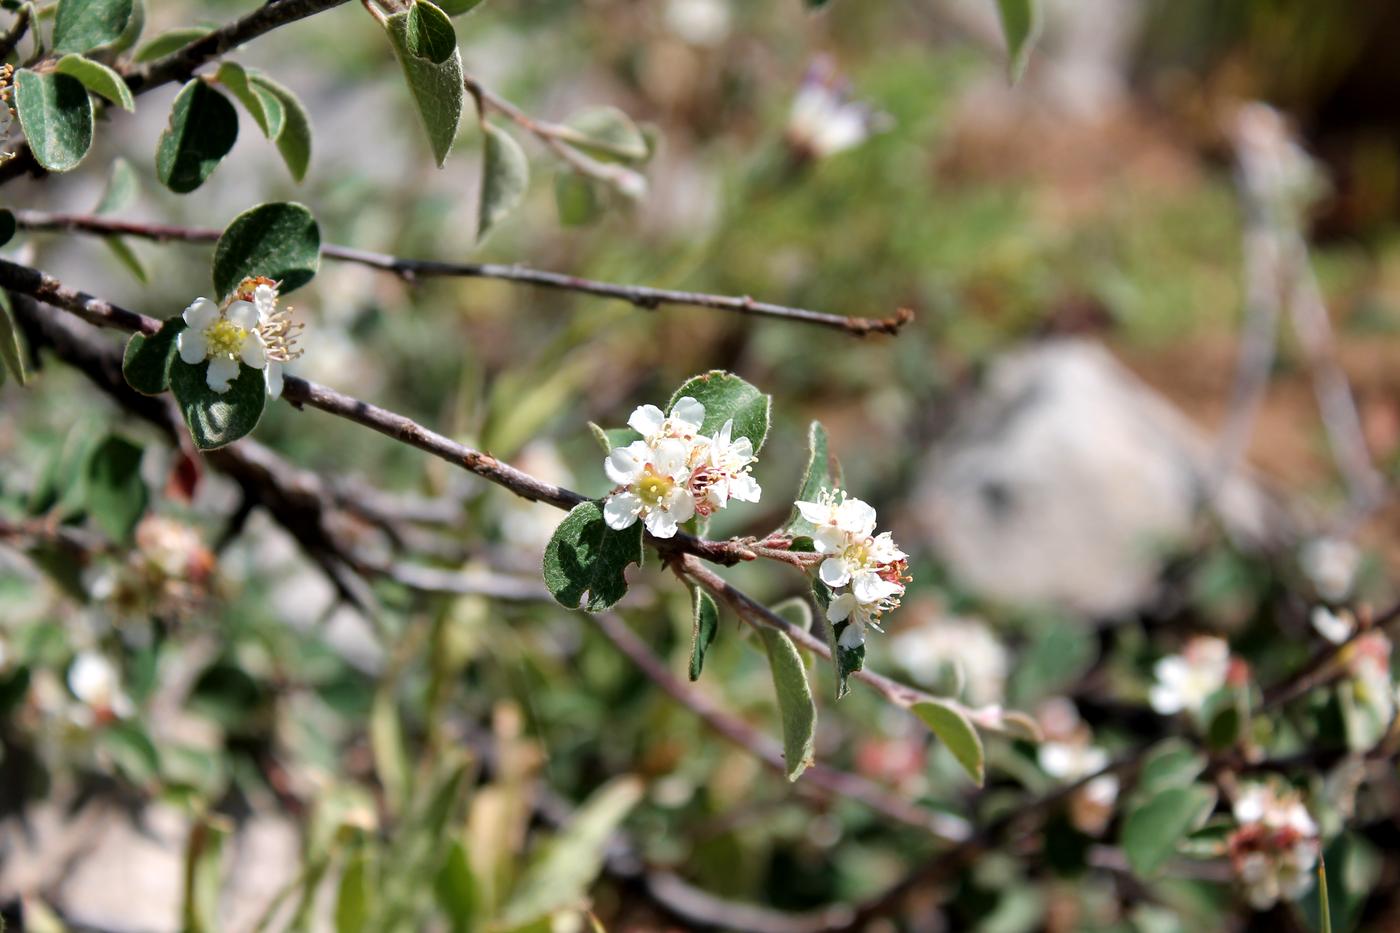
(415, 270)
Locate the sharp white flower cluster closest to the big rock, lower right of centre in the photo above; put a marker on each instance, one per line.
(871, 565)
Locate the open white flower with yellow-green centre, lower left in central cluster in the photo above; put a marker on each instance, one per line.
(653, 484)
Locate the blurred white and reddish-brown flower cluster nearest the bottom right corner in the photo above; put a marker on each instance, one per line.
(1275, 848)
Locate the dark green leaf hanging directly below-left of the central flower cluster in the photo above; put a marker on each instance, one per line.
(586, 557)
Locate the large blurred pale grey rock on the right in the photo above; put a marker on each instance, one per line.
(1066, 481)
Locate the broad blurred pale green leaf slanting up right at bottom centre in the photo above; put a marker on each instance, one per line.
(562, 875)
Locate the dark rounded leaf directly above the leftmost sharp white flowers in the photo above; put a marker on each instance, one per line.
(279, 240)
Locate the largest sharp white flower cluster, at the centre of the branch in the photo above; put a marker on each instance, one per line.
(675, 473)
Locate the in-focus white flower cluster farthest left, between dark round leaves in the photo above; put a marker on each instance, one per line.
(247, 330)
